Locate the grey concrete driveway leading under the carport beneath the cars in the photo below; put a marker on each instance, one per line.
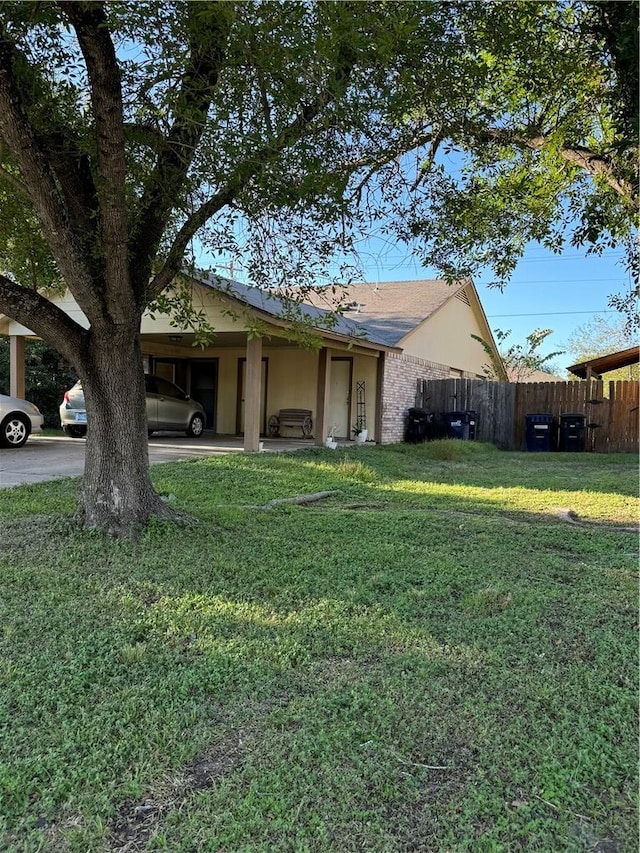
(50, 457)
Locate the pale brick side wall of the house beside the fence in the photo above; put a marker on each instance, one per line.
(401, 373)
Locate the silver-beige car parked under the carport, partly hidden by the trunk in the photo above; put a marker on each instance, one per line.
(168, 408)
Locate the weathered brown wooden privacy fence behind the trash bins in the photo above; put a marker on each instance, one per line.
(501, 407)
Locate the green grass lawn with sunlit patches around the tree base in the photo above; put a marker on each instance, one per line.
(431, 659)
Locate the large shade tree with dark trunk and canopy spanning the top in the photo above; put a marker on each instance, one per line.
(282, 132)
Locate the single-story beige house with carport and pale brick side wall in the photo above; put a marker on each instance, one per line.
(363, 369)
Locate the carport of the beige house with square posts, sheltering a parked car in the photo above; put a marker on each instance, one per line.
(254, 367)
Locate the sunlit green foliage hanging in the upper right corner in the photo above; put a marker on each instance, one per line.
(542, 129)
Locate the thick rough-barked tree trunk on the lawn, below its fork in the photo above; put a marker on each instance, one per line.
(117, 497)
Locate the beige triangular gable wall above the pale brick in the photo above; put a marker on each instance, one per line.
(446, 339)
